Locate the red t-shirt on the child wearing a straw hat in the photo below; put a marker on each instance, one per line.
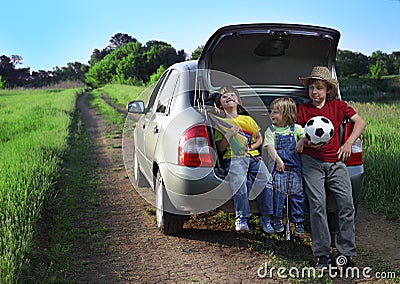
(336, 110)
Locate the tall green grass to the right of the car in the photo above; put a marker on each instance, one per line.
(381, 191)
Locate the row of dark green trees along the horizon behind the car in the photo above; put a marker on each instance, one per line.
(127, 61)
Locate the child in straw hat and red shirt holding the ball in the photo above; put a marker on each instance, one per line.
(323, 167)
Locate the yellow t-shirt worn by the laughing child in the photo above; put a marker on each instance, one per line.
(249, 128)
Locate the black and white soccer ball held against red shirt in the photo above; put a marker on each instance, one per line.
(318, 130)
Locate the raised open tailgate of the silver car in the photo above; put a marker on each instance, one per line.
(268, 54)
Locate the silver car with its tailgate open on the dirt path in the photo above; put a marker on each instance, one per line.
(174, 151)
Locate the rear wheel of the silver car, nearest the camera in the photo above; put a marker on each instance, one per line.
(168, 223)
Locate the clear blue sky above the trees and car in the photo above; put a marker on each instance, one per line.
(50, 33)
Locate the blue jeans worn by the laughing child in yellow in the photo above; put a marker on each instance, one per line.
(245, 173)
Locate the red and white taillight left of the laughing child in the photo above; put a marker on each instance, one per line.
(194, 148)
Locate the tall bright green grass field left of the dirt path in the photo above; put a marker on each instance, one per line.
(34, 128)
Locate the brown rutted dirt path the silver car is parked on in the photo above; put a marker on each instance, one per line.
(135, 252)
